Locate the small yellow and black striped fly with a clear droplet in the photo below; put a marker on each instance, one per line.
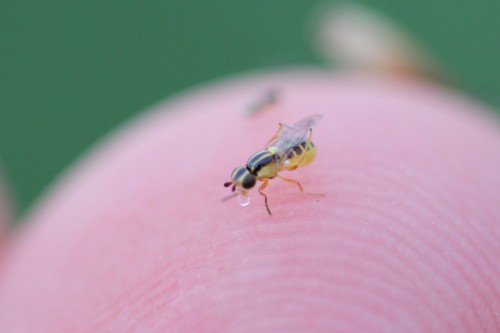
(290, 148)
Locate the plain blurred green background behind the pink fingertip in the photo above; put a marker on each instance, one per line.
(72, 71)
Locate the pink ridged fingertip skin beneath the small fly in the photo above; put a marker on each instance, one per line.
(135, 238)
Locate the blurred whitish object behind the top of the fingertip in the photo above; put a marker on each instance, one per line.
(357, 37)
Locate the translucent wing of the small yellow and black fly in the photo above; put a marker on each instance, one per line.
(292, 135)
